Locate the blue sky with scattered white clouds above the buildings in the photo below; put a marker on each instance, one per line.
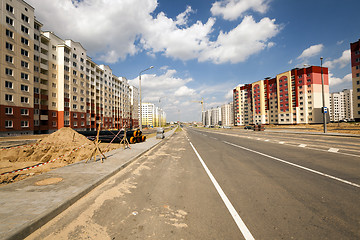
(205, 48)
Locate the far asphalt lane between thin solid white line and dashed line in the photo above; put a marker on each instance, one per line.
(335, 164)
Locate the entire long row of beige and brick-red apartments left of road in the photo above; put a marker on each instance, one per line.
(47, 83)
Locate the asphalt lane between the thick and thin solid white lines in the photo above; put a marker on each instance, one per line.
(279, 201)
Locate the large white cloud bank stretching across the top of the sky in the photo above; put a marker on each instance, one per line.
(113, 30)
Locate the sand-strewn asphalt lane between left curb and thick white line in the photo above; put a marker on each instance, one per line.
(165, 194)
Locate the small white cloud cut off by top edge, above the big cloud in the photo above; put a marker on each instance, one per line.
(234, 9)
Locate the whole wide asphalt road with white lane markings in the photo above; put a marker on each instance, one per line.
(224, 185)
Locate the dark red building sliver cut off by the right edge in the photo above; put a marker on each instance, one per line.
(355, 68)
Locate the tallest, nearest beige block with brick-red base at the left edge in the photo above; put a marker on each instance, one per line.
(17, 67)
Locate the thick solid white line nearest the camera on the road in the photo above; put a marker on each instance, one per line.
(239, 222)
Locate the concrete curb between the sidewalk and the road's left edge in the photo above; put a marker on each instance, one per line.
(25, 231)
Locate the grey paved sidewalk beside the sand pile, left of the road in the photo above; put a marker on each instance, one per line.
(25, 206)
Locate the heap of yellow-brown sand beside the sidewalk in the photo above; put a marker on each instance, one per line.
(57, 144)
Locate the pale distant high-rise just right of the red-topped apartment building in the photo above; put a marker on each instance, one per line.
(341, 105)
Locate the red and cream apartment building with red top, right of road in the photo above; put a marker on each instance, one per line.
(292, 97)
